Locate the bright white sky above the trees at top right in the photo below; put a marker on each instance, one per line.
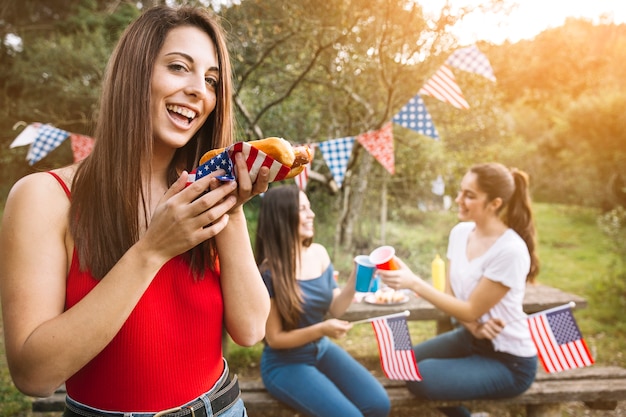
(529, 18)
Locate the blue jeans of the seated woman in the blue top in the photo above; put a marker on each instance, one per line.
(320, 379)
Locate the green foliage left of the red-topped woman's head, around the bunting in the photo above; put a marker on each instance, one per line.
(56, 76)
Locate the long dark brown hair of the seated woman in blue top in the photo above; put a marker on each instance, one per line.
(277, 248)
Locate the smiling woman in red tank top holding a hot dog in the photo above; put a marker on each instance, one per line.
(117, 278)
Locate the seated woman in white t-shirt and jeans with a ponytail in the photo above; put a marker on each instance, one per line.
(491, 255)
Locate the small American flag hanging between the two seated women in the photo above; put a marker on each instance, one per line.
(394, 344)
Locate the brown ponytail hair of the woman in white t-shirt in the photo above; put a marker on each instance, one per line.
(497, 181)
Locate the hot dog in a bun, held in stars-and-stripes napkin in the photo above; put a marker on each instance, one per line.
(279, 149)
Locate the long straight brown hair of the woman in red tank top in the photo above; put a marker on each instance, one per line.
(108, 189)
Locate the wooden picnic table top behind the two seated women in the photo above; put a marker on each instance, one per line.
(538, 297)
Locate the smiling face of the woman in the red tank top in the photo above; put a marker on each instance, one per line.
(183, 86)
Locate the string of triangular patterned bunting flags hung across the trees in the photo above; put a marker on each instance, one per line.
(442, 85)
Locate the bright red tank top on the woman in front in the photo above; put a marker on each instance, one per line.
(167, 353)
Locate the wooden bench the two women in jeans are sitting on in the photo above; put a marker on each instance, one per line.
(600, 388)
